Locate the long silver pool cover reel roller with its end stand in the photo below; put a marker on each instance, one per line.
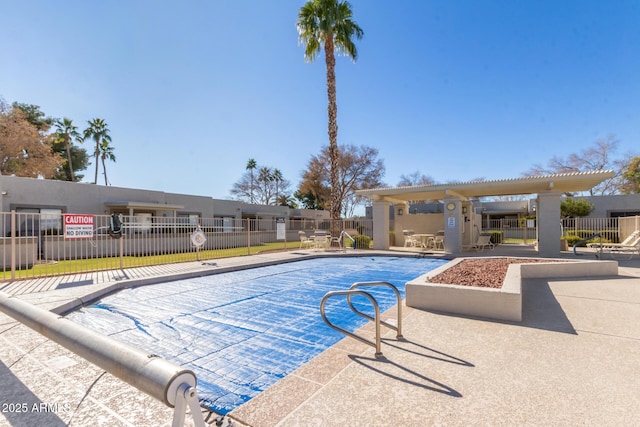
(169, 383)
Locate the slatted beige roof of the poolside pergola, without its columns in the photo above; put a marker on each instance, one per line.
(556, 183)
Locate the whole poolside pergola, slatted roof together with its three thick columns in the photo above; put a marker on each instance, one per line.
(549, 189)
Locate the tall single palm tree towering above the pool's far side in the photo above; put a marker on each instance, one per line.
(329, 23)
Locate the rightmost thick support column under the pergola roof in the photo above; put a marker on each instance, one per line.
(548, 218)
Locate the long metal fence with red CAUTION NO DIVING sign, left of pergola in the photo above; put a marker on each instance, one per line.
(37, 244)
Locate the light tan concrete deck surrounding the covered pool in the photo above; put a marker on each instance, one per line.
(574, 359)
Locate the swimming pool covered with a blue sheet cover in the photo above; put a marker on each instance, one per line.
(242, 331)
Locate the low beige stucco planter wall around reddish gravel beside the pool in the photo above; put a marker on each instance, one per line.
(499, 304)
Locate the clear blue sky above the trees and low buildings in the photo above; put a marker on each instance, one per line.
(456, 90)
